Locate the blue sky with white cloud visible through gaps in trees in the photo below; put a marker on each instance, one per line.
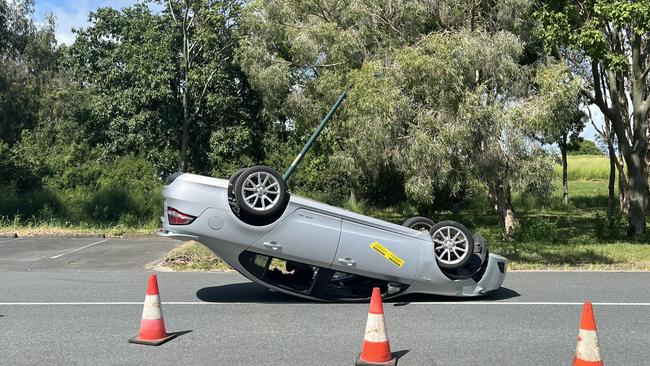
(74, 14)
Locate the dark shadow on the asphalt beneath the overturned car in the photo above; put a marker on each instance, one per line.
(250, 292)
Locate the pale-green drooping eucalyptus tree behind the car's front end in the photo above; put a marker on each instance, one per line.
(448, 120)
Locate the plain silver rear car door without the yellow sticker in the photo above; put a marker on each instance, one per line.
(304, 236)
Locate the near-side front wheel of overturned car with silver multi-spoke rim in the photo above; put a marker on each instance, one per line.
(453, 244)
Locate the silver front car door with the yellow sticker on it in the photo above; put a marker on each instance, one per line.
(377, 253)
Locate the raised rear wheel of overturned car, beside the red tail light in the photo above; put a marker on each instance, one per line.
(260, 191)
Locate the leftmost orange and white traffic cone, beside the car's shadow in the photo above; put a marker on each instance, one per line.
(152, 326)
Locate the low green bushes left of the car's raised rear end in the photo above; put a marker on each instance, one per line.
(126, 192)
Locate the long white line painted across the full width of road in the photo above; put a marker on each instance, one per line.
(529, 303)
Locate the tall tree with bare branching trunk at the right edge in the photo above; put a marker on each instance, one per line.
(609, 45)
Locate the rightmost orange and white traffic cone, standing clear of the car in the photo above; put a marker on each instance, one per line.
(587, 350)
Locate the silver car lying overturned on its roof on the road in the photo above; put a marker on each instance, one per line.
(309, 249)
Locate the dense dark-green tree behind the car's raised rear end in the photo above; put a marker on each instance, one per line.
(160, 84)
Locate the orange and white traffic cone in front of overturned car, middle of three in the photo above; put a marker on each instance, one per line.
(375, 349)
